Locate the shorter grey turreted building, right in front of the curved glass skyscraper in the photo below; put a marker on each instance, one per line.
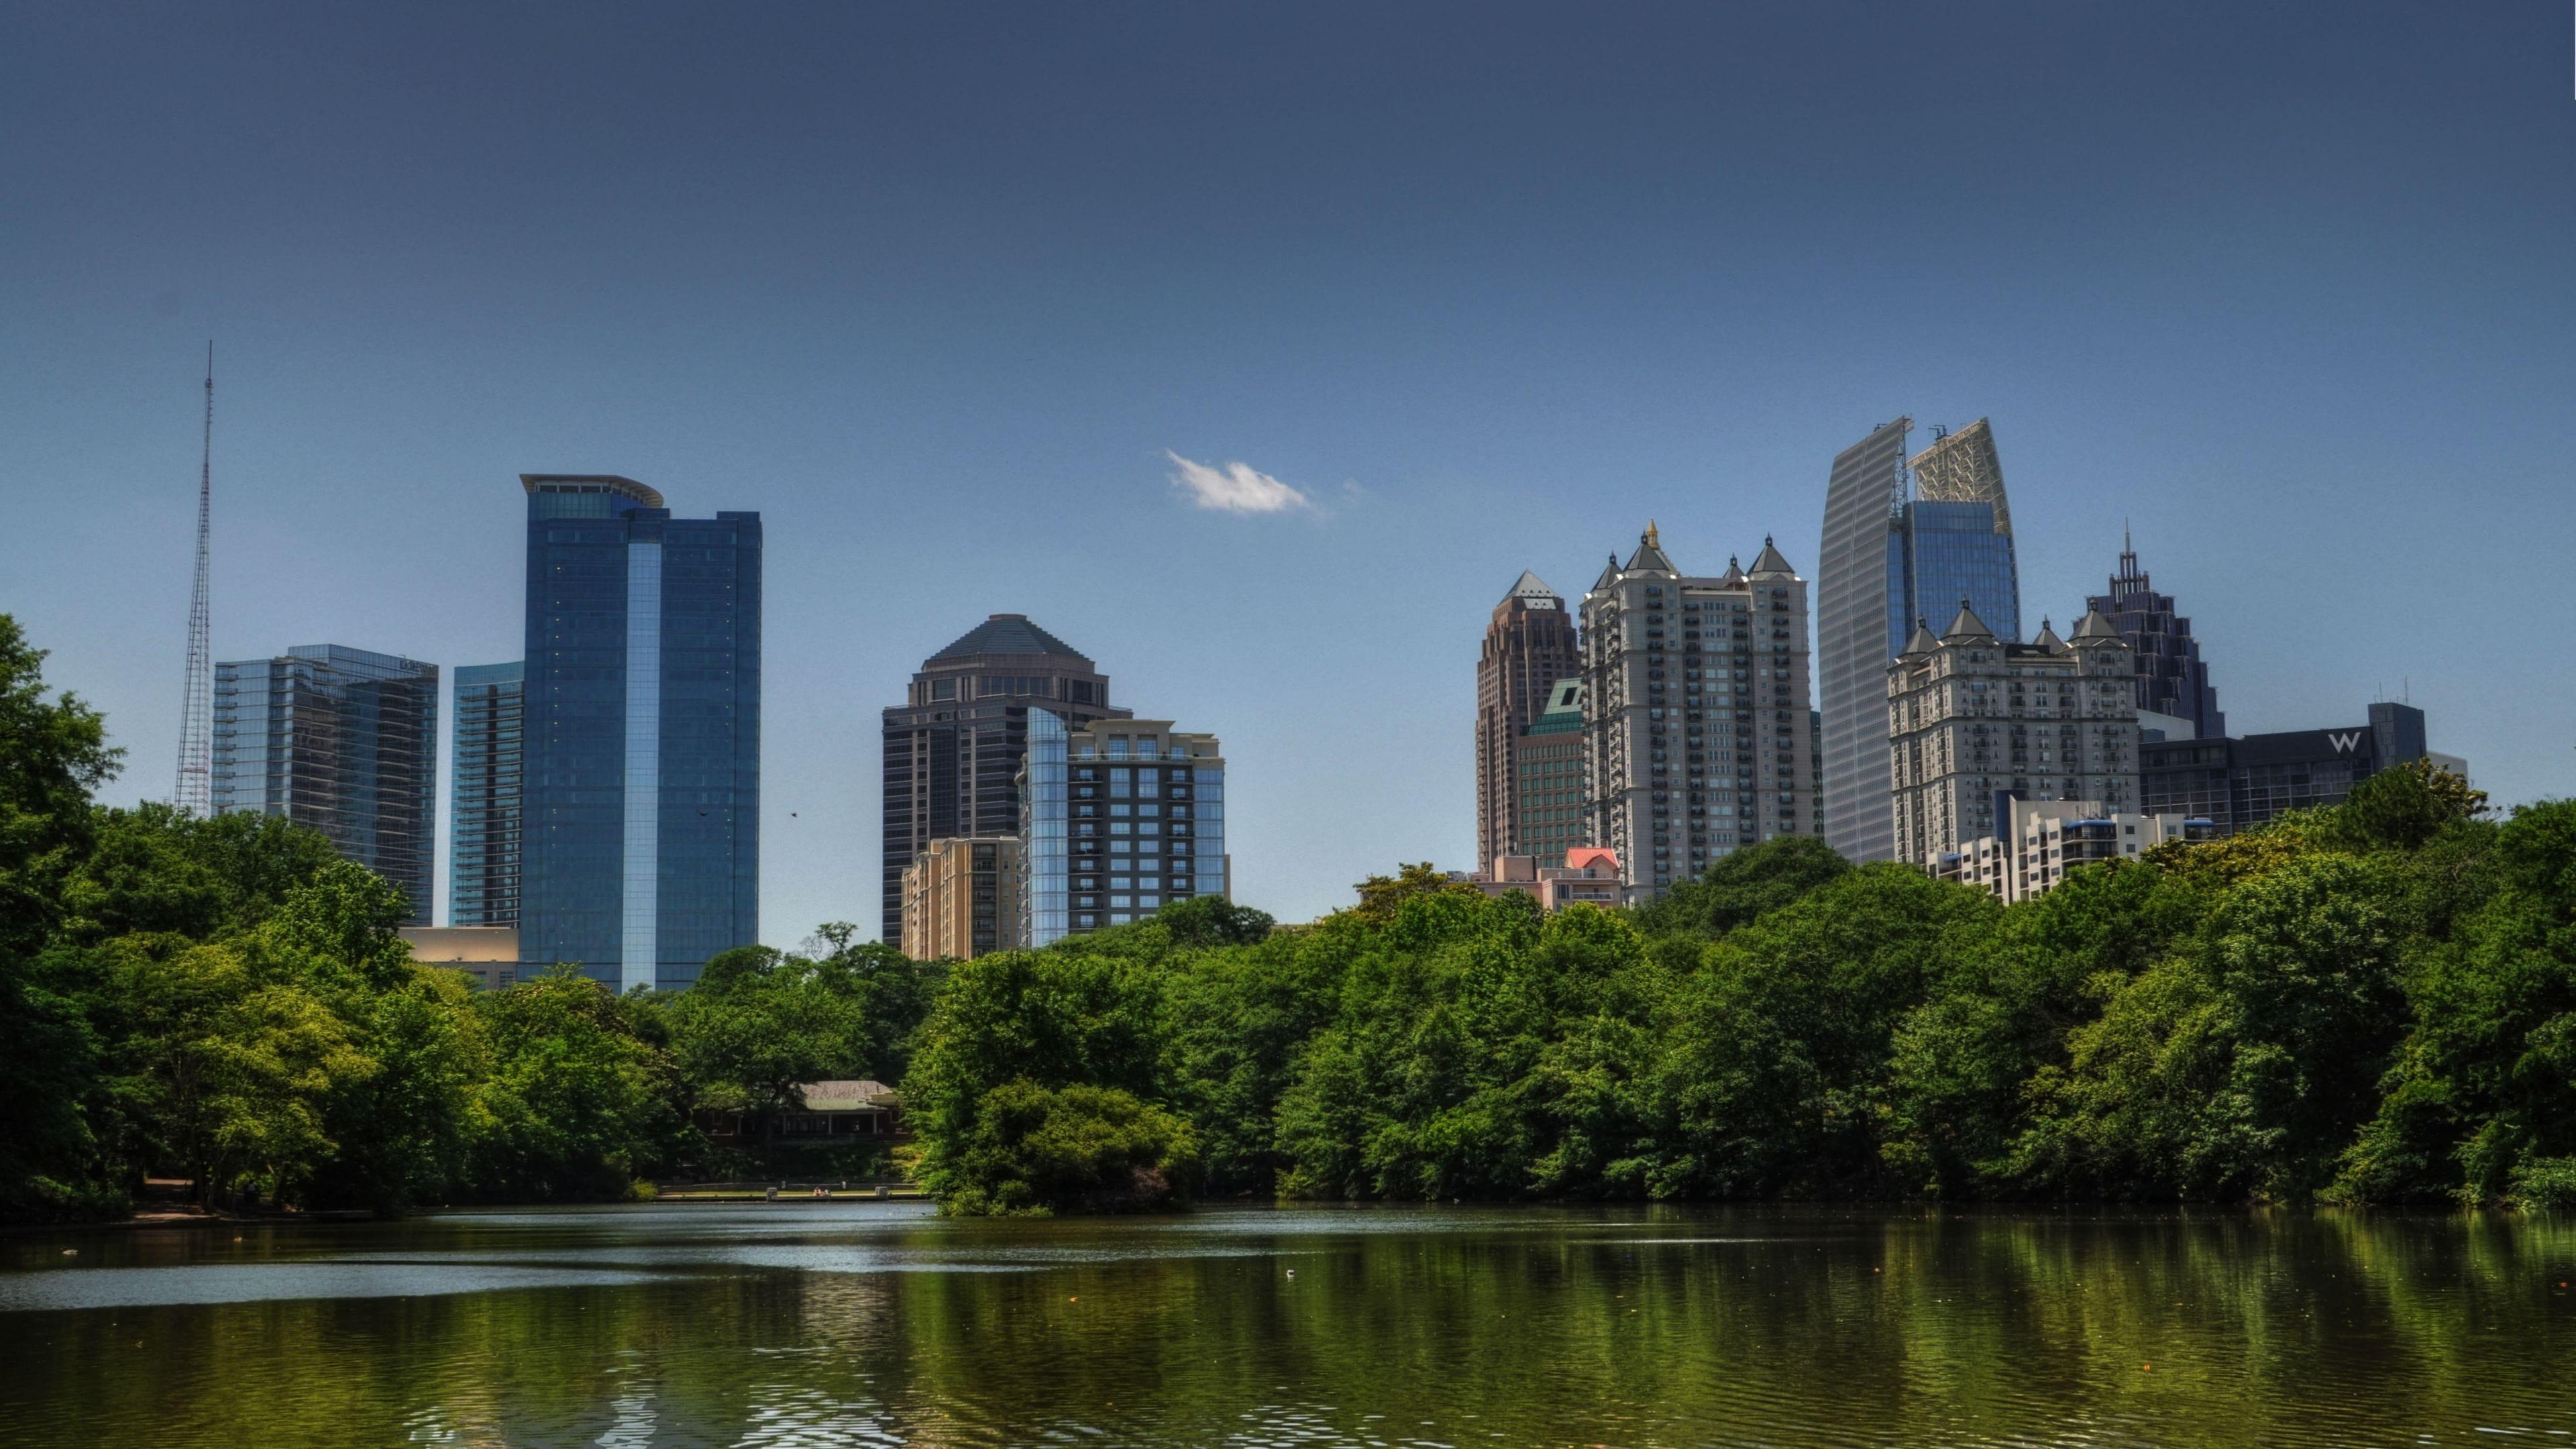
(1980, 721)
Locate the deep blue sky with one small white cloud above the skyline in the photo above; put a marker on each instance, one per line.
(1256, 352)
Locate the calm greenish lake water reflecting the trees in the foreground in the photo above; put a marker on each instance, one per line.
(877, 1324)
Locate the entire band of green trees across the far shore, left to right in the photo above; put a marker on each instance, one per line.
(2361, 1004)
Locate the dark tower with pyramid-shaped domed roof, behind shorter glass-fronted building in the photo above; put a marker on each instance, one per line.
(957, 744)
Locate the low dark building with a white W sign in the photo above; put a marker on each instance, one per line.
(2250, 783)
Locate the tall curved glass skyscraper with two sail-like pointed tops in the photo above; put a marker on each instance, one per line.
(1900, 548)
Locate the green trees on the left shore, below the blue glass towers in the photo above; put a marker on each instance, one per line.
(228, 1002)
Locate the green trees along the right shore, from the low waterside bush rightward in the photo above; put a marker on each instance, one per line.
(2363, 1004)
